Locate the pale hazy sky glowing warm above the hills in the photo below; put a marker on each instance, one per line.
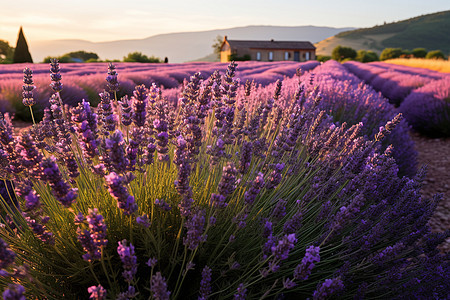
(99, 20)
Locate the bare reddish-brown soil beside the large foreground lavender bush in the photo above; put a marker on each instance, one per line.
(433, 152)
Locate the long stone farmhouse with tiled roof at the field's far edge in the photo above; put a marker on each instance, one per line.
(266, 50)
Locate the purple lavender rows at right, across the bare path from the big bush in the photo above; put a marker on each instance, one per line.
(421, 95)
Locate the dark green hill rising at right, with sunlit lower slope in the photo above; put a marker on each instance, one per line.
(430, 31)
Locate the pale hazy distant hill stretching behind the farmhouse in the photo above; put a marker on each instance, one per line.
(181, 46)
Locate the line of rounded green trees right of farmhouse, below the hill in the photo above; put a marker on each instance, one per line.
(342, 53)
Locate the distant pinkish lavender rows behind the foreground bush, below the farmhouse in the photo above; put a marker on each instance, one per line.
(86, 81)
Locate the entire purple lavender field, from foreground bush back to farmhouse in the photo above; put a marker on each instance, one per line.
(255, 181)
